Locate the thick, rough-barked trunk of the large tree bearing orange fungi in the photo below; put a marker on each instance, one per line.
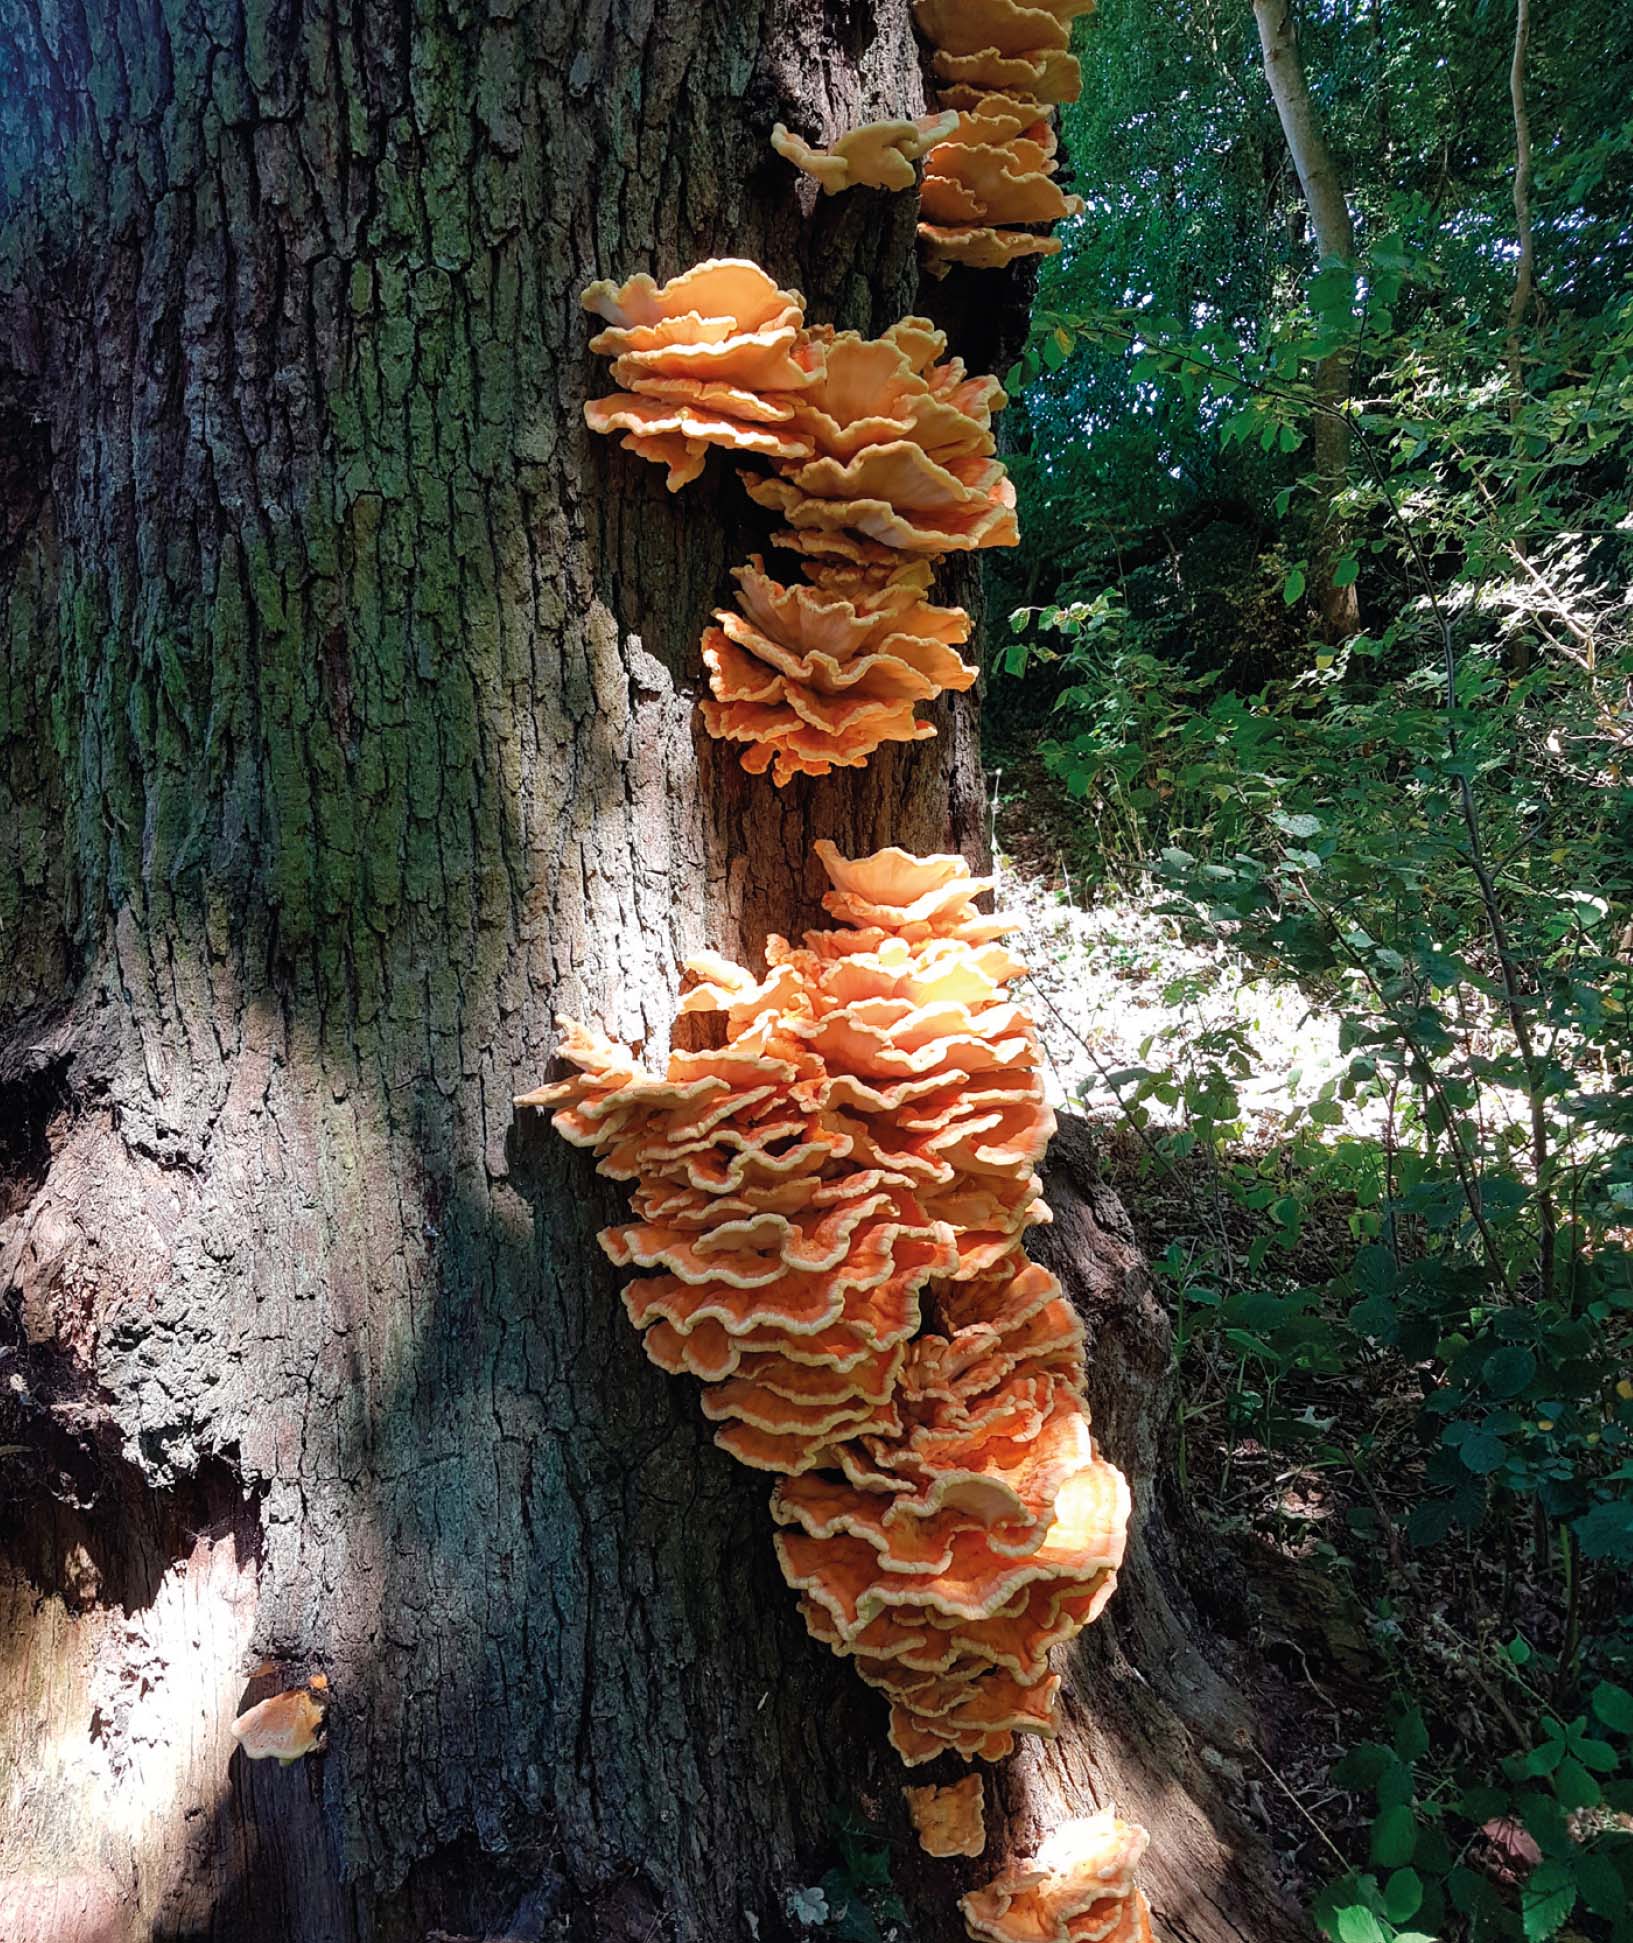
(347, 722)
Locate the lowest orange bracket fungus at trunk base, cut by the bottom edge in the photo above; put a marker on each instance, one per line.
(1078, 1890)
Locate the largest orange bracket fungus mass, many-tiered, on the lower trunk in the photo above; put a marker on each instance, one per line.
(829, 1227)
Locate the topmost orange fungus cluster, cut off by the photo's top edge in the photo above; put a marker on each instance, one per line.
(990, 153)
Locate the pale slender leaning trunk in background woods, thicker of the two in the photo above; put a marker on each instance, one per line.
(1290, 90)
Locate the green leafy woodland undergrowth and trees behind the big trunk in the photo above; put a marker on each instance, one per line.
(1428, 825)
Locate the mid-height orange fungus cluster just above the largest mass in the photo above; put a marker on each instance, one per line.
(882, 456)
